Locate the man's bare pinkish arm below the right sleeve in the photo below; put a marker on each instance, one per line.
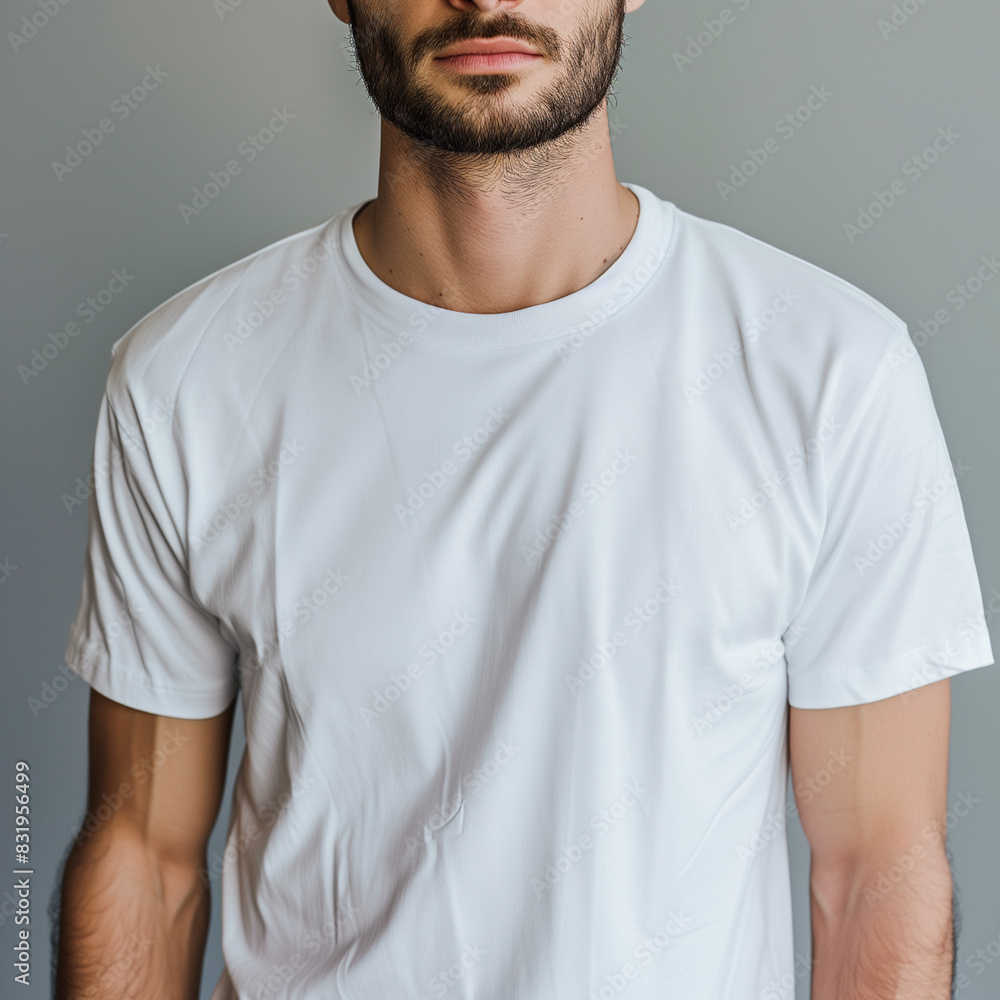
(880, 882)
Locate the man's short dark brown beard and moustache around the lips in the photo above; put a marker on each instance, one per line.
(484, 123)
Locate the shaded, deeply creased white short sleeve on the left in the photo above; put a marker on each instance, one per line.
(139, 637)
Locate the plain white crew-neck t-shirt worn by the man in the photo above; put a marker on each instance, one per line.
(517, 602)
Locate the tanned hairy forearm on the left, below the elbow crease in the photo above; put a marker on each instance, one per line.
(131, 926)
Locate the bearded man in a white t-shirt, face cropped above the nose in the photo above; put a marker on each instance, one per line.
(539, 523)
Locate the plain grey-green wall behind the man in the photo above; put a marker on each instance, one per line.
(678, 133)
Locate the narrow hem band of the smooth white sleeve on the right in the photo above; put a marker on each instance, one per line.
(861, 684)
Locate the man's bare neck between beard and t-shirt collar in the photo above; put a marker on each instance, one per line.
(494, 237)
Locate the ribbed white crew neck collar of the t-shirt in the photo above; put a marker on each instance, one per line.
(579, 311)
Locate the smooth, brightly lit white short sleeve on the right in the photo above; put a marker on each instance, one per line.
(893, 601)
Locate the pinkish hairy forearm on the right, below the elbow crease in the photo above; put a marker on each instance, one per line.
(883, 930)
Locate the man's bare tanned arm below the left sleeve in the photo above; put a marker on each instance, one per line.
(134, 911)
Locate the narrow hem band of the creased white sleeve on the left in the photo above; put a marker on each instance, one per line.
(135, 692)
